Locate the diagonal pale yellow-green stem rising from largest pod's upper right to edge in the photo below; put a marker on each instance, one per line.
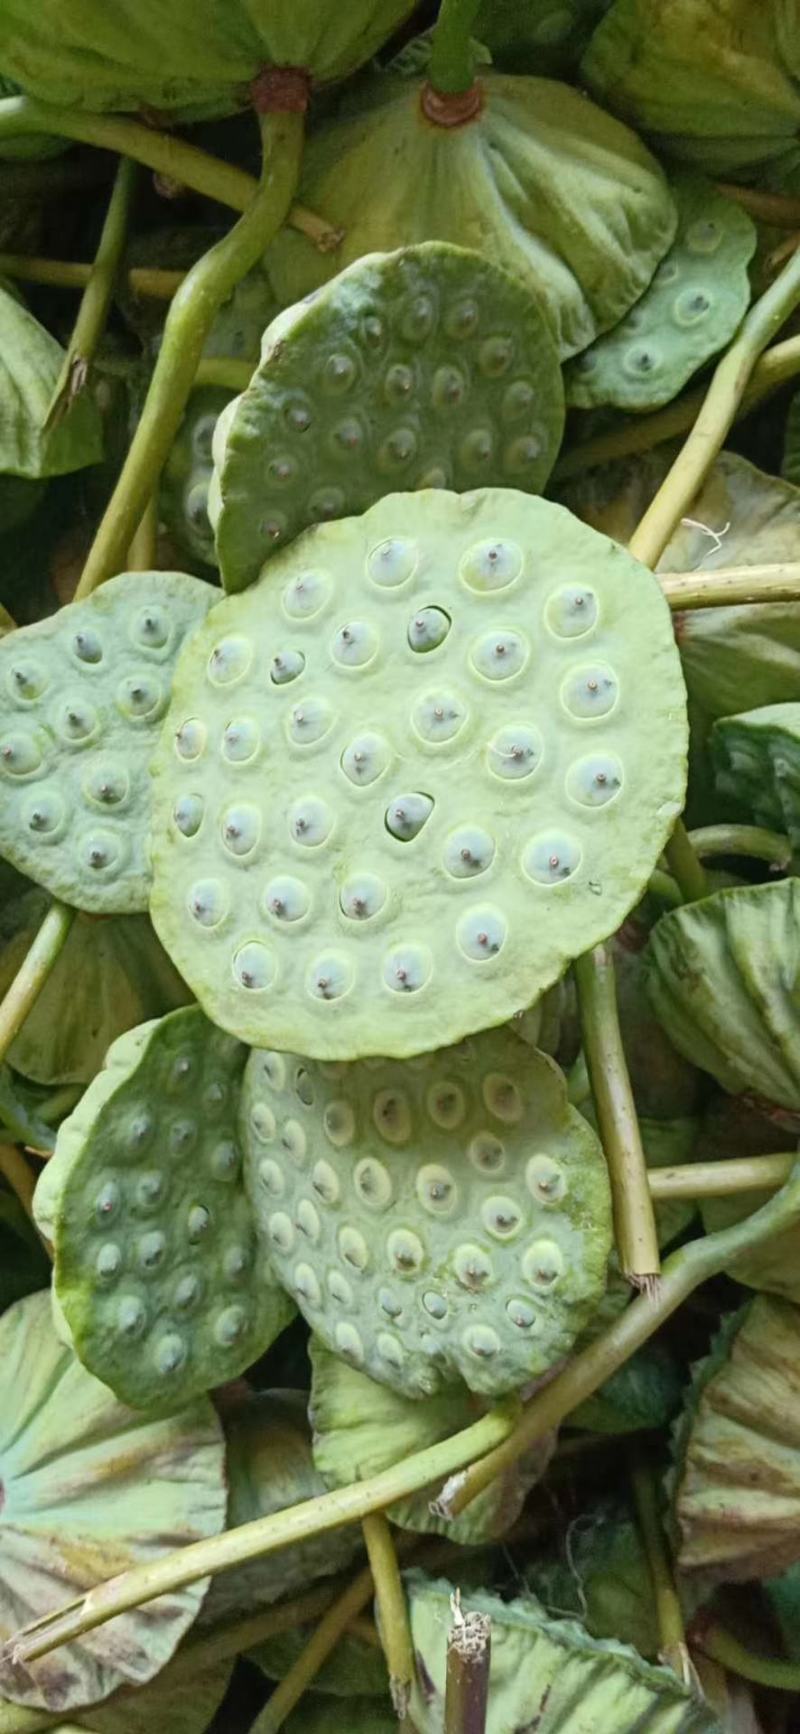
(716, 419)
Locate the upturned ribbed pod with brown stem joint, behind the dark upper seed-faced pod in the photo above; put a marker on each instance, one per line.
(537, 179)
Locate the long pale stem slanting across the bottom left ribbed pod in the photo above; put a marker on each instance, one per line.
(265, 1535)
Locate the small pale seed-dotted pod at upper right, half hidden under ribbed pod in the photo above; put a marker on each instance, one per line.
(688, 313)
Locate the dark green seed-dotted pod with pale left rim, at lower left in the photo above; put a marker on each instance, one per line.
(159, 1272)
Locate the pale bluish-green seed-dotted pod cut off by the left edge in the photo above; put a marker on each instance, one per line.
(82, 696)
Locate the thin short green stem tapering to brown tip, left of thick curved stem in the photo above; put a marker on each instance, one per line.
(96, 301)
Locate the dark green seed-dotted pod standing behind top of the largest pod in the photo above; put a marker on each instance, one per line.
(424, 368)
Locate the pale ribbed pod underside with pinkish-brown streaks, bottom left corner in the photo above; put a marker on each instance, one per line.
(72, 1459)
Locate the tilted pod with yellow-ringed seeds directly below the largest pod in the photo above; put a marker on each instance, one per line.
(436, 1222)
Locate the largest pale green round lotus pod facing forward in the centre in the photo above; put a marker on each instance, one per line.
(414, 772)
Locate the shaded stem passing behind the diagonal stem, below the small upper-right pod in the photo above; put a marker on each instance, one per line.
(636, 434)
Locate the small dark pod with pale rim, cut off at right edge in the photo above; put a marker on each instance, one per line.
(757, 764)
